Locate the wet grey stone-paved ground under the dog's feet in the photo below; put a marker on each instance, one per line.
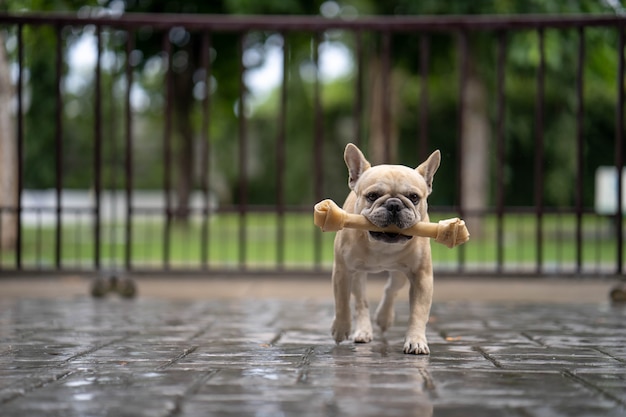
(152, 357)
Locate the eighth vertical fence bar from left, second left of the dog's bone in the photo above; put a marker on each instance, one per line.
(280, 161)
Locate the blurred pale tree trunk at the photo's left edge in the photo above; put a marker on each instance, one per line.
(8, 157)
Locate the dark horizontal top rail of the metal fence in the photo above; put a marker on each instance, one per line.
(241, 23)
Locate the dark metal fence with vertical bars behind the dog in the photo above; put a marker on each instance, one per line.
(121, 226)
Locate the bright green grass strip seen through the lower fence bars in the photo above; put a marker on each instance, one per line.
(304, 246)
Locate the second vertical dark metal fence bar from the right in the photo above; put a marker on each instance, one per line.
(580, 112)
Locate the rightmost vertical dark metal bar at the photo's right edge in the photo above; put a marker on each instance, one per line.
(619, 154)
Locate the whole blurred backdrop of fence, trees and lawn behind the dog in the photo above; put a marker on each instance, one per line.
(195, 136)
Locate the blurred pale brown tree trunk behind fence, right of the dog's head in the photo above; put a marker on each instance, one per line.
(475, 164)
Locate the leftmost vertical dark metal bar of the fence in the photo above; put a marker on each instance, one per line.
(20, 143)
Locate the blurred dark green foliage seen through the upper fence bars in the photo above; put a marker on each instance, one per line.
(338, 100)
